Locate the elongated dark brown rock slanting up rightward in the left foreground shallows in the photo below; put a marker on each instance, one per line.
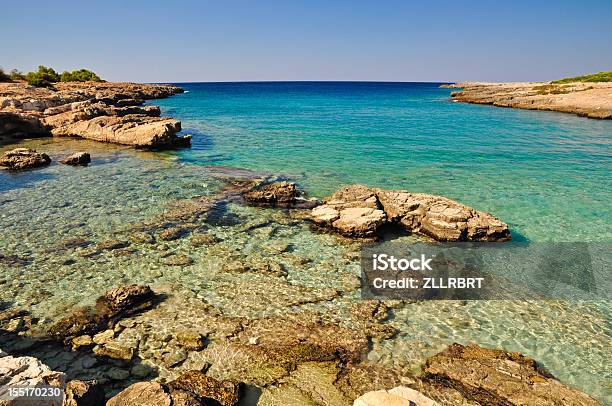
(110, 307)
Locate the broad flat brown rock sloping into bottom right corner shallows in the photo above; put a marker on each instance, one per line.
(499, 378)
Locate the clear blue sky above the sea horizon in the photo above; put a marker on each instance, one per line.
(389, 40)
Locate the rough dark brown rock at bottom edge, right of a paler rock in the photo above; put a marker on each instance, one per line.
(206, 388)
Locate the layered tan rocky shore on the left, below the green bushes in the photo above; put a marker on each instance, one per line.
(99, 111)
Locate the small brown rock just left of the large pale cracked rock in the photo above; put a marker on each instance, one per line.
(277, 194)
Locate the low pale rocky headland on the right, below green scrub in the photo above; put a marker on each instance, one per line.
(592, 100)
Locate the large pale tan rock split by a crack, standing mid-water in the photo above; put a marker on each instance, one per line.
(359, 211)
